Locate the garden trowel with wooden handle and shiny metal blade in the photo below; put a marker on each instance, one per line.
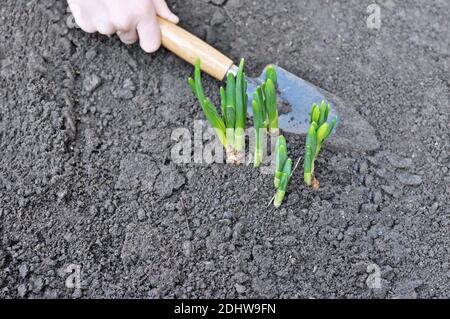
(296, 96)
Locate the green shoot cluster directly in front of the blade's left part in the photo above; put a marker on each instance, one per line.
(265, 113)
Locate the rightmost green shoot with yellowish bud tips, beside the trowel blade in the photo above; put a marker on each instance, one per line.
(318, 133)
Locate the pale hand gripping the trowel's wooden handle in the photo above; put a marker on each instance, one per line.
(130, 19)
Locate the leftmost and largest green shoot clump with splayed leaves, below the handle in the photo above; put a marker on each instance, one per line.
(230, 126)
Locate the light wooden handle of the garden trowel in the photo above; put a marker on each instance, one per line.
(188, 47)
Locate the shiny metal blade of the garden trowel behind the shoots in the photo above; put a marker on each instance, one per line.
(296, 97)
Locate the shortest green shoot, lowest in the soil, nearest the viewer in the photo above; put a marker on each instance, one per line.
(283, 170)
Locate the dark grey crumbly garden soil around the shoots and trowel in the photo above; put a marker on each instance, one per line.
(86, 175)
